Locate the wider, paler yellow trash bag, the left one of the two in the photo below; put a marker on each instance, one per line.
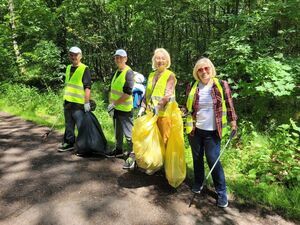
(147, 142)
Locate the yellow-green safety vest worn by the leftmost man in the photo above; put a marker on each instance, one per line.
(74, 90)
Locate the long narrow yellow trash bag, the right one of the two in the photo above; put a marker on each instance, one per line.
(175, 166)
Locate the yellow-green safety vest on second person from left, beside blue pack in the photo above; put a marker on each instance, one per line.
(116, 91)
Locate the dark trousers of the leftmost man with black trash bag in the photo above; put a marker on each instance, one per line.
(72, 117)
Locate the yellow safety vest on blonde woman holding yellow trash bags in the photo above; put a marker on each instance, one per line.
(156, 93)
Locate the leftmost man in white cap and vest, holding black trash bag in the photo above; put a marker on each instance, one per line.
(76, 97)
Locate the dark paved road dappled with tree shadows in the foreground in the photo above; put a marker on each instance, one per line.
(41, 186)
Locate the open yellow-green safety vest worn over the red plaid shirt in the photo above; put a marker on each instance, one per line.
(189, 104)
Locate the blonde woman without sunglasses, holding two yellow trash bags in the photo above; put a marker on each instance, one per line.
(159, 91)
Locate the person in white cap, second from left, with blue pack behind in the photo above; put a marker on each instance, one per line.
(121, 103)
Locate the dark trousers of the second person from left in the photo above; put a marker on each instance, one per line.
(123, 127)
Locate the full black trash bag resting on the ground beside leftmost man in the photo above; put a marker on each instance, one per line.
(91, 139)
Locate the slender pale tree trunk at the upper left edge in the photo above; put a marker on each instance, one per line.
(19, 59)
